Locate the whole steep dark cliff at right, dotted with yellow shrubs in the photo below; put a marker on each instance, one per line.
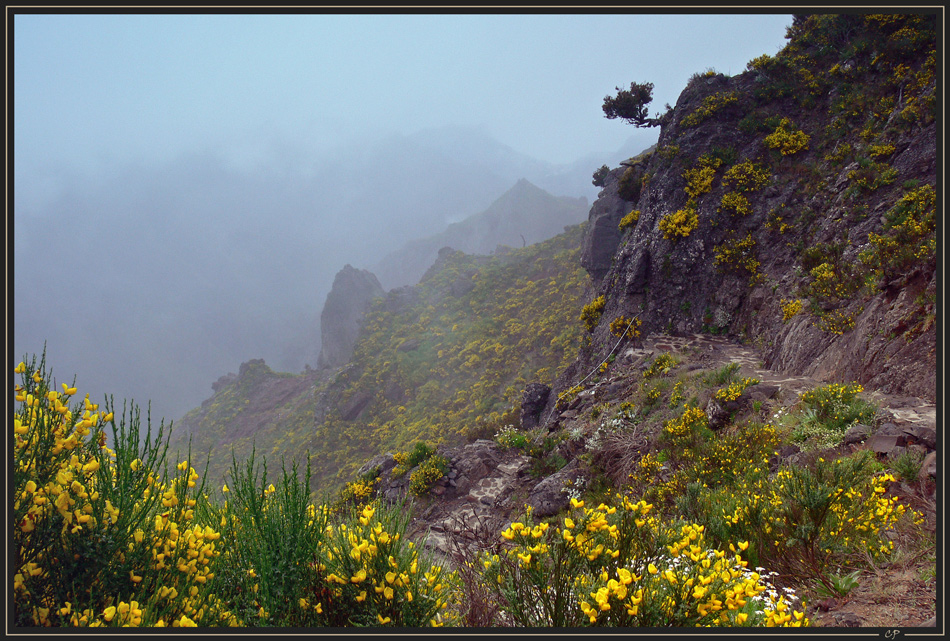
(791, 207)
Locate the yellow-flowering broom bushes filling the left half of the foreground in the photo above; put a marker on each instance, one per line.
(112, 537)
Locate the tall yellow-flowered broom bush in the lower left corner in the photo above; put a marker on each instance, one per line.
(102, 536)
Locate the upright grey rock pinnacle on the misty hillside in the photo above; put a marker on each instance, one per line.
(349, 299)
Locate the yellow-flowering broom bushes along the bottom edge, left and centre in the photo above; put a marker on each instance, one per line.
(116, 538)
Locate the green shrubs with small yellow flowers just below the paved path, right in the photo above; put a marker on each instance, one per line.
(805, 522)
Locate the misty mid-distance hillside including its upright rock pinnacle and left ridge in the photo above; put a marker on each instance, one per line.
(440, 361)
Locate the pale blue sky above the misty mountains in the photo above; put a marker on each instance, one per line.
(112, 88)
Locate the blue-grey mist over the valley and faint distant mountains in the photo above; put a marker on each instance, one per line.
(171, 275)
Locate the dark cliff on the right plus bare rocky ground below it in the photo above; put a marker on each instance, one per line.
(785, 223)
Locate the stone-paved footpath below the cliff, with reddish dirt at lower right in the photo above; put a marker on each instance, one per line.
(898, 595)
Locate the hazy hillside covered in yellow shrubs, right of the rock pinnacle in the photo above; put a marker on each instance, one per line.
(452, 363)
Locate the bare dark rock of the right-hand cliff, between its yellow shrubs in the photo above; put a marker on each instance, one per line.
(681, 284)
